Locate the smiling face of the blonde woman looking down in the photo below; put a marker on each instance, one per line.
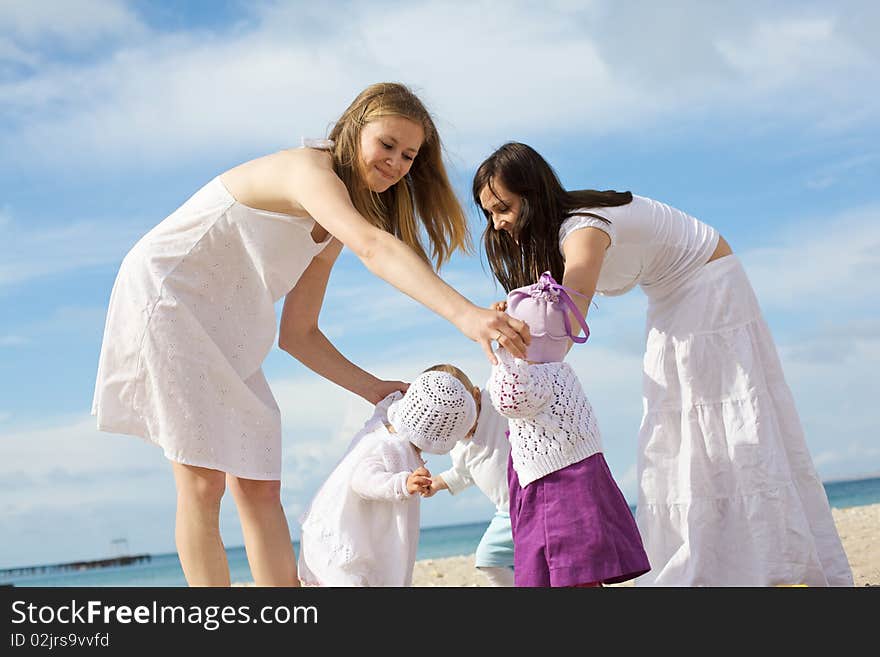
(389, 145)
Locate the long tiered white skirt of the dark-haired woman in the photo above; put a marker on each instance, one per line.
(728, 494)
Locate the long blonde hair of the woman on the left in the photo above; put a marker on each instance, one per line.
(424, 194)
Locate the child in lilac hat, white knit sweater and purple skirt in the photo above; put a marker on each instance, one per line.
(571, 524)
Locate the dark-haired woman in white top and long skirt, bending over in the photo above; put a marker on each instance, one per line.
(728, 493)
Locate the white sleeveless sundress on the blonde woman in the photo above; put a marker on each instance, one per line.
(191, 319)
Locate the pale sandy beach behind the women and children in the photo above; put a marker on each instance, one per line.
(859, 529)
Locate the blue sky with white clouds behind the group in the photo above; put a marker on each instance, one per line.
(761, 119)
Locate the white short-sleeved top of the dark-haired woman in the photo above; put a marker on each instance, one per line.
(652, 245)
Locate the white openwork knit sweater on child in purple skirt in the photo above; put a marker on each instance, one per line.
(552, 424)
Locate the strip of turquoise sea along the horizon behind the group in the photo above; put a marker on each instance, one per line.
(434, 543)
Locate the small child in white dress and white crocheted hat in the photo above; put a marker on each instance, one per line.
(362, 527)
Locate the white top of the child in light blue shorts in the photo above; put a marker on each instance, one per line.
(482, 460)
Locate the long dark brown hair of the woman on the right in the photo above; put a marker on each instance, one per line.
(545, 205)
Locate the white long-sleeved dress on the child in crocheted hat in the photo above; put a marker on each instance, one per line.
(362, 527)
